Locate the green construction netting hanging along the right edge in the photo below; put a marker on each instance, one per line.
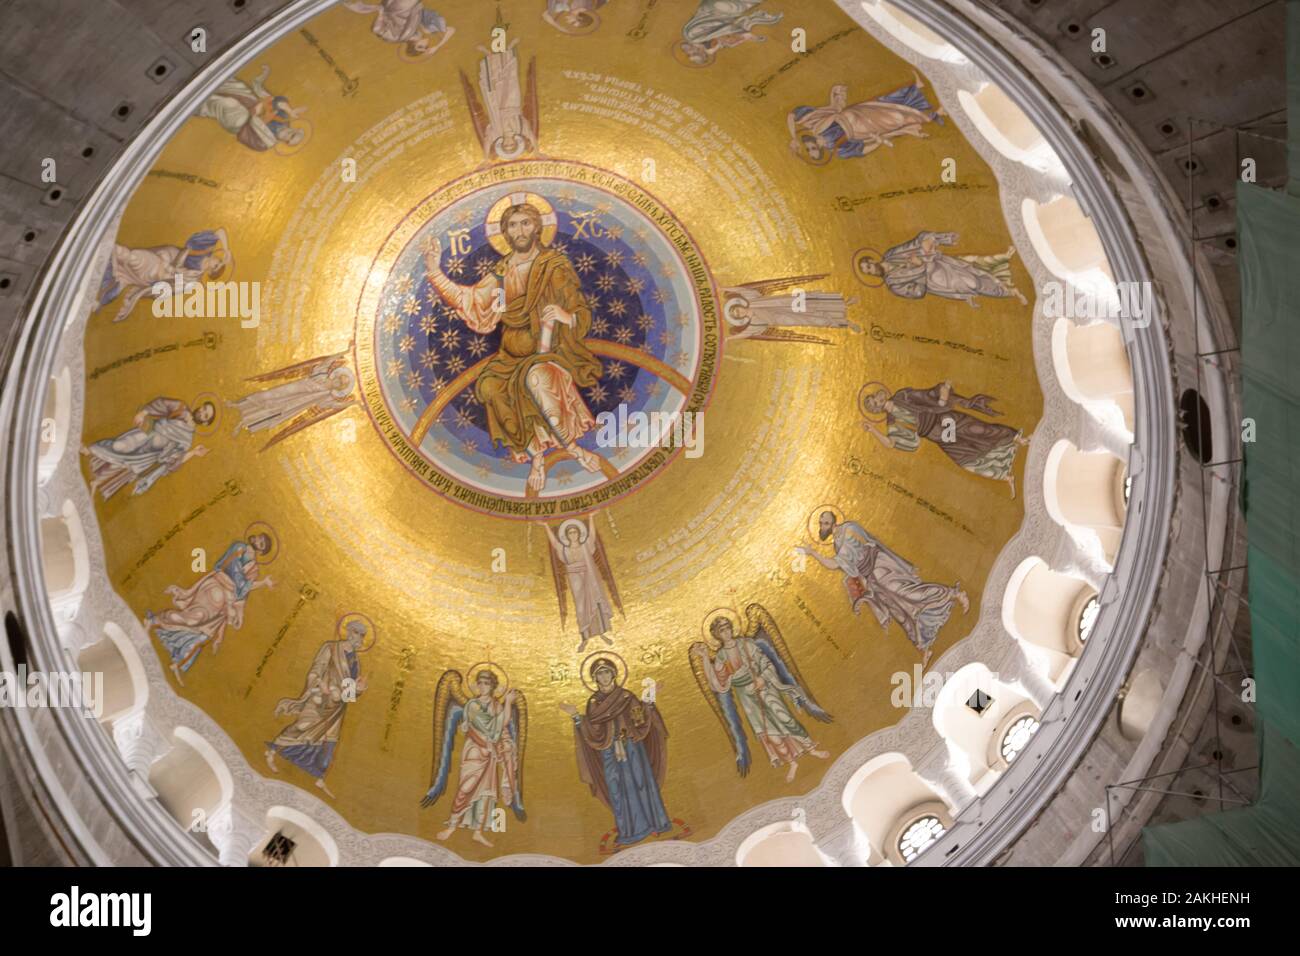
(1268, 833)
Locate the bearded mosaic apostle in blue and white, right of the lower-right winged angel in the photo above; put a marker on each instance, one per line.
(891, 587)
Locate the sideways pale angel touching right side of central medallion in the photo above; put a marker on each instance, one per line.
(766, 310)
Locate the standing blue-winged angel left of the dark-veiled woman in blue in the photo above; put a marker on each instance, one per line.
(492, 759)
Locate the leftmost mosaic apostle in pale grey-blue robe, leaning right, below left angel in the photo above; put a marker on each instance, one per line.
(159, 444)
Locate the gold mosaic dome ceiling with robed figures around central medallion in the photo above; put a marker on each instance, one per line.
(608, 338)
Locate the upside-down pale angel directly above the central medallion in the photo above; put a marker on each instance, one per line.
(506, 118)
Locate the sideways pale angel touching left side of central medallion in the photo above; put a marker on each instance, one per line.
(317, 390)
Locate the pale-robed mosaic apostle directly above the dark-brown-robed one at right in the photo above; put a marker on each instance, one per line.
(917, 269)
